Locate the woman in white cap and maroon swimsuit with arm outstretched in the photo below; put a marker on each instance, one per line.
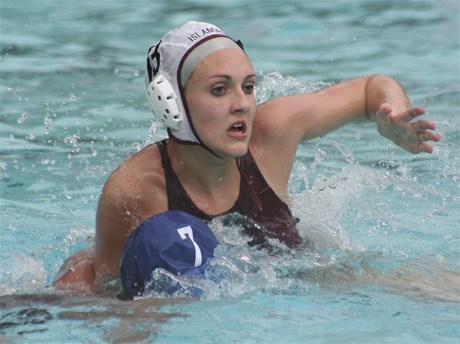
(226, 154)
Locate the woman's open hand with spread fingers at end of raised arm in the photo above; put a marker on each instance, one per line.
(407, 134)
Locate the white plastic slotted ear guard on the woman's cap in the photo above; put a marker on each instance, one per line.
(163, 101)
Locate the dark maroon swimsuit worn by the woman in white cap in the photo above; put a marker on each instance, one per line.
(270, 216)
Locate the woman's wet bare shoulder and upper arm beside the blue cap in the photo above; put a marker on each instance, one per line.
(134, 192)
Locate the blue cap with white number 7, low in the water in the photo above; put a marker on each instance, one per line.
(174, 241)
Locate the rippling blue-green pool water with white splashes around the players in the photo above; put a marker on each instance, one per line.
(386, 222)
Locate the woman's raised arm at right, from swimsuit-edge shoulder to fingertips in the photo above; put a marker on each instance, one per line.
(282, 124)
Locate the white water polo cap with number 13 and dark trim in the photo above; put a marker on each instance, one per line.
(170, 62)
